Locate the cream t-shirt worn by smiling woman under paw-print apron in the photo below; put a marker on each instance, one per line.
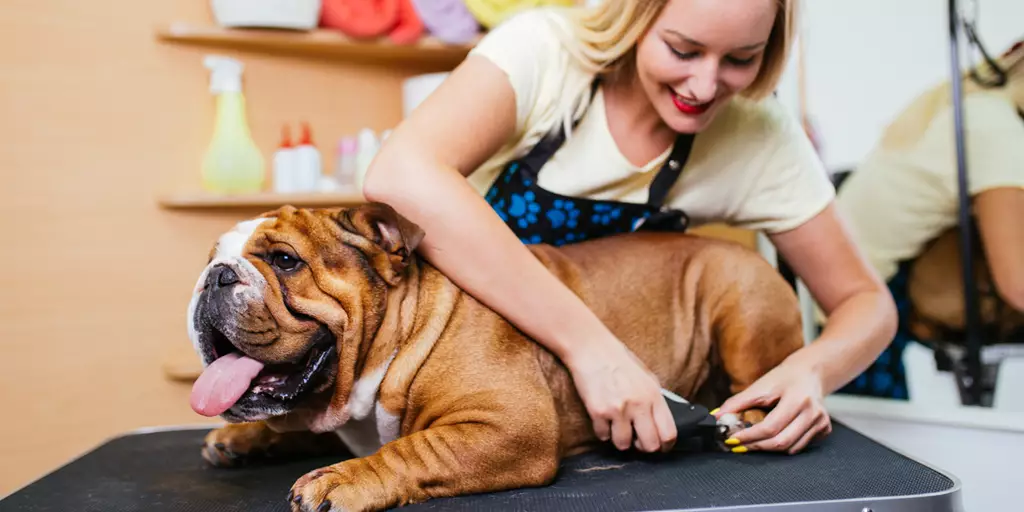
(753, 167)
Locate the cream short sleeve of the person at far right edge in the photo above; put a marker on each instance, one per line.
(994, 137)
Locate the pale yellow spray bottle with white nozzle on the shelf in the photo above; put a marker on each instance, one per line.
(233, 163)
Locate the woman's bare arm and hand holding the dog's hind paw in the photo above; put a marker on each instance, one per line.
(862, 323)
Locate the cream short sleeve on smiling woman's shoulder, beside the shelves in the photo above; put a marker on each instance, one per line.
(528, 50)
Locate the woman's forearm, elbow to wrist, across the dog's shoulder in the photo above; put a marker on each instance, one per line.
(467, 241)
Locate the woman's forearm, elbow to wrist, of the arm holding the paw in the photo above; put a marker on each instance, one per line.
(859, 330)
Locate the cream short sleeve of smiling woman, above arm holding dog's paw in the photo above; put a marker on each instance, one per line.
(792, 186)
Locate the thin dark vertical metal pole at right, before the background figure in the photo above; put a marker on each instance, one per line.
(973, 358)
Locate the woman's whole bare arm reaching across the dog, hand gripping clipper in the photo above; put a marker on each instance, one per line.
(420, 172)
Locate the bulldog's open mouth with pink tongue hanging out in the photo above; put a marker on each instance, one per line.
(234, 378)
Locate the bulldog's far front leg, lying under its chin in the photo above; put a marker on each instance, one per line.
(243, 444)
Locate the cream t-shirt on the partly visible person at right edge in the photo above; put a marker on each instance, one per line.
(906, 192)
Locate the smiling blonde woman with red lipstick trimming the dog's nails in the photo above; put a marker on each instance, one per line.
(632, 94)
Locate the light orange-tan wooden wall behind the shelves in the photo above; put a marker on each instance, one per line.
(97, 119)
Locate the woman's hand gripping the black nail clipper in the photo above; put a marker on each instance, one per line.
(622, 397)
